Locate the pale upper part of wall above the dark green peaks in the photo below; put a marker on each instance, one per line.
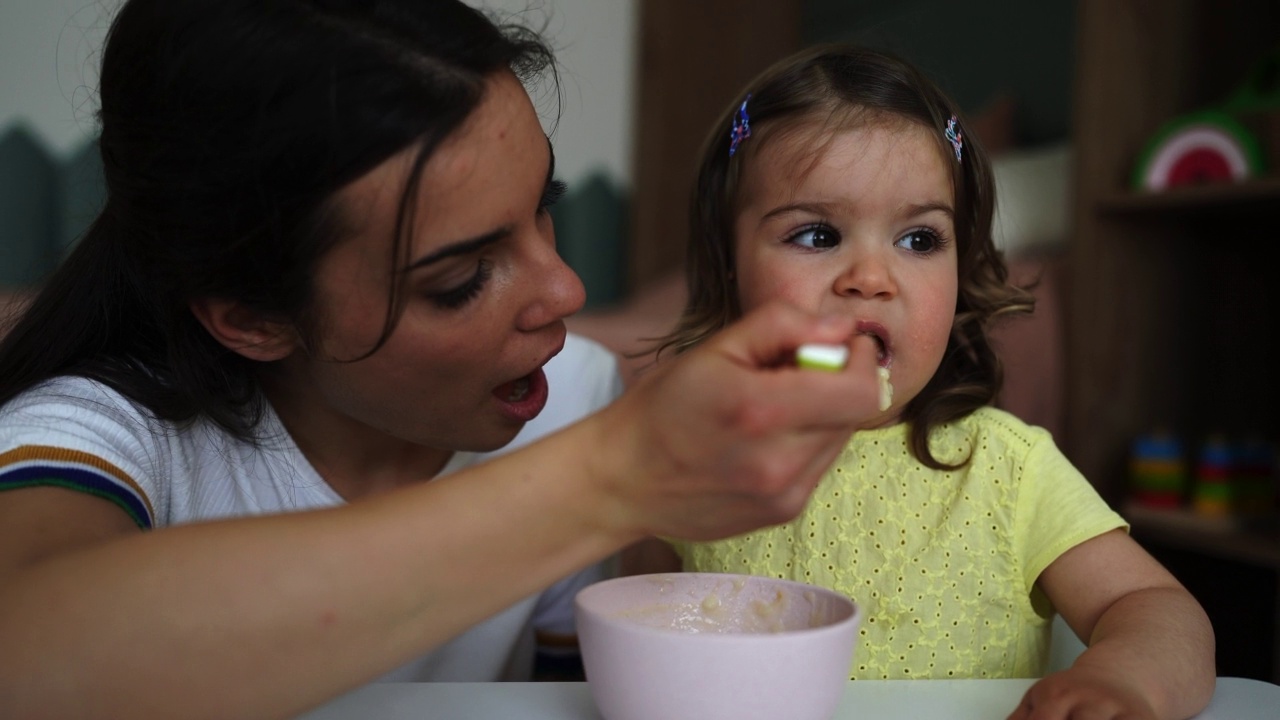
(52, 51)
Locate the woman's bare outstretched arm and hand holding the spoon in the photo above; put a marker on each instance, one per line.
(269, 617)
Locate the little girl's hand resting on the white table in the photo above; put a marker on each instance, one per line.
(1084, 694)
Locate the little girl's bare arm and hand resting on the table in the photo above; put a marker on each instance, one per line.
(1151, 646)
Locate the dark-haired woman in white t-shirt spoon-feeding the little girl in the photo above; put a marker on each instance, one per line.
(326, 275)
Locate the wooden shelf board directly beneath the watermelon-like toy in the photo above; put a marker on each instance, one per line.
(1260, 193)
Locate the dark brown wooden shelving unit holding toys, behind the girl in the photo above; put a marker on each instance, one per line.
(1172, 297)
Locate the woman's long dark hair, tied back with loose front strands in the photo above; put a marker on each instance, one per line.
(227, 130)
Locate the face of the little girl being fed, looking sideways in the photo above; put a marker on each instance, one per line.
(860, 225)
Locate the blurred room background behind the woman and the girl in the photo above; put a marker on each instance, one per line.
(1150, 357)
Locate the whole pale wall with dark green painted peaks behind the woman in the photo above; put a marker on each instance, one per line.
(48, 104)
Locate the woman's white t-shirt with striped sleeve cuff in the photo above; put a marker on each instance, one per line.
(77, 434)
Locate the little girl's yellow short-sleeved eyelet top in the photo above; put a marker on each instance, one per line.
(944, 564)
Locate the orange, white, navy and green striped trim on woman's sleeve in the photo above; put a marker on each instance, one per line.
(34, 466)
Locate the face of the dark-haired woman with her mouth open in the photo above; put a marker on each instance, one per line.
(486, 294)
